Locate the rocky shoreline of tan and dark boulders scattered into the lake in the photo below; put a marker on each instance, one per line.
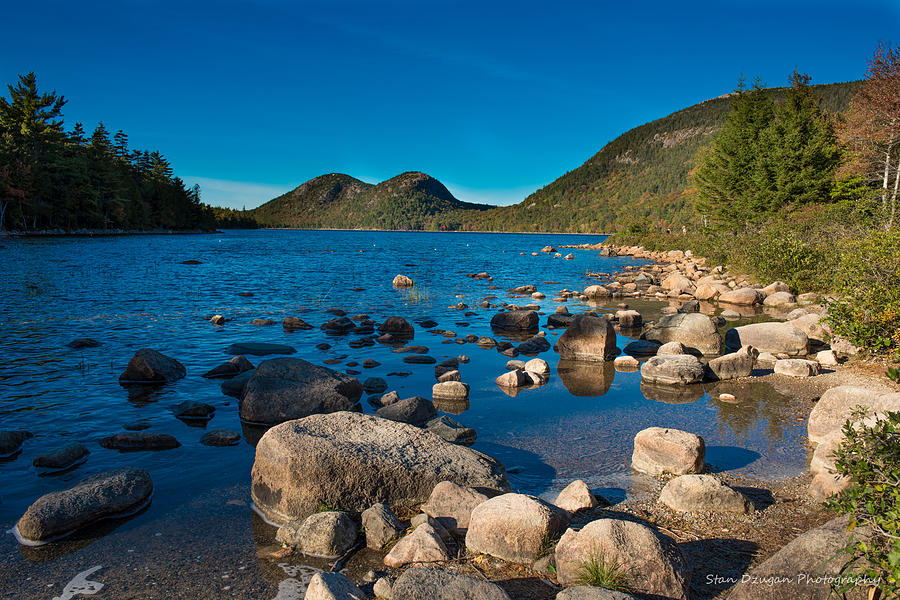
(443, 519)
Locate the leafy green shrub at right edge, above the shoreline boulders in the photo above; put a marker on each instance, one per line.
(867, 282)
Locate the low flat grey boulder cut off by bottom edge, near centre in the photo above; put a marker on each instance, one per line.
(420, 583)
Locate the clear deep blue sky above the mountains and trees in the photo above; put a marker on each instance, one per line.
(494, 99)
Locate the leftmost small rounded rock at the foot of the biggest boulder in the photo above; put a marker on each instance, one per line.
(326, 534)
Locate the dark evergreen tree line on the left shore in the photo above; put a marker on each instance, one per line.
(54, 178)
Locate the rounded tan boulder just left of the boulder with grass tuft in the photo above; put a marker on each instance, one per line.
(514, 527)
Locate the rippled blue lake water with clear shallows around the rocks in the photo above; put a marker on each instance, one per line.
(133, 292)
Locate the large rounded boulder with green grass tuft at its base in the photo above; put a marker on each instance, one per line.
(651, 561)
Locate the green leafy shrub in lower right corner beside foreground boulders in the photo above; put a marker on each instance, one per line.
(870, 459)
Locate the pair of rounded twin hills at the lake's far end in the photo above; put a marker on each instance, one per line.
(411, 200)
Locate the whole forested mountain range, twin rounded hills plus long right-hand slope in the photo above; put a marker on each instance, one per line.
(642, 174)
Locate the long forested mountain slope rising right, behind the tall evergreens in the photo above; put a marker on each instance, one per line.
(643, 174)
